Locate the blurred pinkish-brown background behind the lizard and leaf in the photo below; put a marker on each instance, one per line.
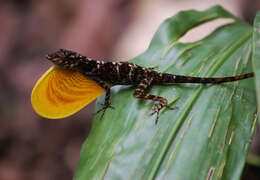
(35, 148)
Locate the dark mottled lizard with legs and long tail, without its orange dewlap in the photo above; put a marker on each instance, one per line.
(125, 73)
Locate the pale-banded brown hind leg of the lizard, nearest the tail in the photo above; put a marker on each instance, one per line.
(140, 93)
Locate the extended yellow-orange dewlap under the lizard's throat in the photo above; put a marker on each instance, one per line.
(60, 93)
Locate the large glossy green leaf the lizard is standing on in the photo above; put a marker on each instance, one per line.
(207, 136)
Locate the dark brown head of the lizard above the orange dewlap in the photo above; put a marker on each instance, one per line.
(65, 58)
